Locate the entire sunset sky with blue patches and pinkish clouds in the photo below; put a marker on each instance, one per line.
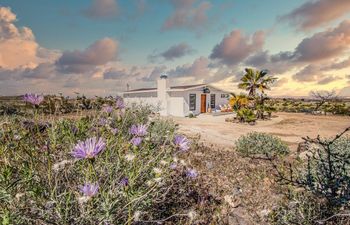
(97, 47)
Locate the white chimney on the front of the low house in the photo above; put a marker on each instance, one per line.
(162, 93)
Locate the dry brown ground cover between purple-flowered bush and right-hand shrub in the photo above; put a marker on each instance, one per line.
(245, 186)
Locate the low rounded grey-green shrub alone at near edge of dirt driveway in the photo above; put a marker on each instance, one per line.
(261, 145)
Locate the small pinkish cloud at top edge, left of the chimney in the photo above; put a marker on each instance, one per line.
(101, 9)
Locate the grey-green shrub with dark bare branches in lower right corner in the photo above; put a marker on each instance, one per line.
(320, 187)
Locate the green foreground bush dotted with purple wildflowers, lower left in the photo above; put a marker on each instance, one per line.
(129, 174)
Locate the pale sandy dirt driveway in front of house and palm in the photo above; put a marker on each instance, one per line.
(290, 127)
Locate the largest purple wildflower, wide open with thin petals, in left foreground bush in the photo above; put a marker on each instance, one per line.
(89, 148)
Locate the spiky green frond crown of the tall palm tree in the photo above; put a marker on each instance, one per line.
(253, 80)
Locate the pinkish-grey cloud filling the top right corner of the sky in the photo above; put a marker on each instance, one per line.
(313, 14)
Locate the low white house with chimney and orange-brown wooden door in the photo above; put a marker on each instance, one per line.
(179, 100)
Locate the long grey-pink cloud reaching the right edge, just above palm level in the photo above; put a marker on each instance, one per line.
(322, 47)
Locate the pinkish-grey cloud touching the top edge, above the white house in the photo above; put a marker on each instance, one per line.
(187, 15)
